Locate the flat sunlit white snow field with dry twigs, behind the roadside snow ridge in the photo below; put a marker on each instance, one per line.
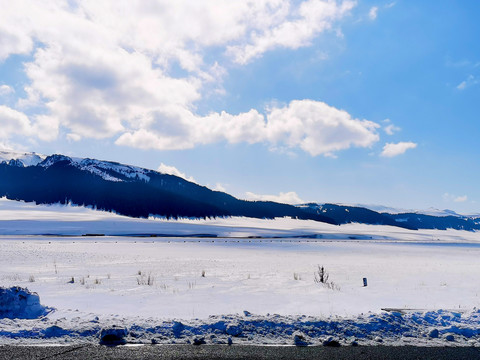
(111, 276)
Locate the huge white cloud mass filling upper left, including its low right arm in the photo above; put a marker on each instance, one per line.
(94, 76)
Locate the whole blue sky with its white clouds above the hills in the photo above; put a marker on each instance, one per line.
(370, 102)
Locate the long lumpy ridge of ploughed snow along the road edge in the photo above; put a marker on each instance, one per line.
(434, 328)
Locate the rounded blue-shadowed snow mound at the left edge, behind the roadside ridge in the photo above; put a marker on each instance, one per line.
(20, 303)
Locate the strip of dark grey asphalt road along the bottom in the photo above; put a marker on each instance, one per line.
(214, 352)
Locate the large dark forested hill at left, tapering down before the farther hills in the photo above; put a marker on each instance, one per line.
(124, 189)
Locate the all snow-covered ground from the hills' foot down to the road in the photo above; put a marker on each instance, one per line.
(254, 290)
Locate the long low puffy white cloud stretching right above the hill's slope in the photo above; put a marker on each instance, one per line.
(313, 126)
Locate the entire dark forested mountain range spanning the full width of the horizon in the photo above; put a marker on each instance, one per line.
(138, 192)
